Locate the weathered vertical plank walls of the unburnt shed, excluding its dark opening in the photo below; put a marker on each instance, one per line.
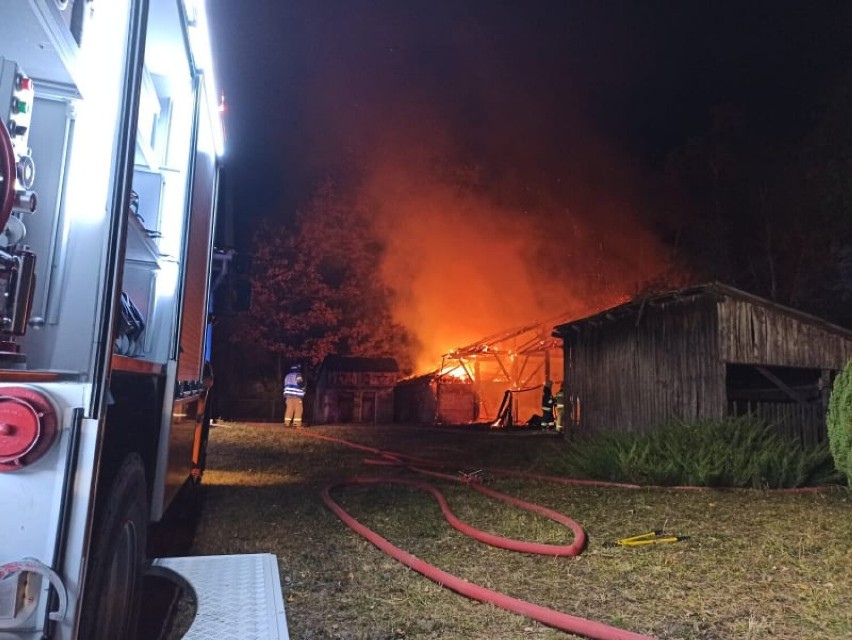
(630, 375)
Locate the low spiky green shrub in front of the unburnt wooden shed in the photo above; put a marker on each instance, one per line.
(732, 452)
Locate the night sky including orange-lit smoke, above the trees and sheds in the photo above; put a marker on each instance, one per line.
(514, 157)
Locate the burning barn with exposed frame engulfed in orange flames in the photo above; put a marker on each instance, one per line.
(504, 370)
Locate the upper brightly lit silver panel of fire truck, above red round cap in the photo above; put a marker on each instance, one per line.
(68, 234)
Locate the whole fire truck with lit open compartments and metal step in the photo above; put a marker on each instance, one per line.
(110, 150)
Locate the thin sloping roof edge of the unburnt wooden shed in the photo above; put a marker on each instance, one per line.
(688, 294)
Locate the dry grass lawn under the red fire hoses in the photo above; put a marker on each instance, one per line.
(757, 565)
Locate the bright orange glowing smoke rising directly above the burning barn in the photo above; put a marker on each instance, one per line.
(463, 263)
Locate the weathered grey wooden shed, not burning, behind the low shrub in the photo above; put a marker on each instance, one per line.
(701, 352)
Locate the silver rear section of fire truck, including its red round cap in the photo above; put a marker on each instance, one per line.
(69, 155)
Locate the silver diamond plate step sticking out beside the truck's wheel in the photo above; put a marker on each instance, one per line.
(238, 596)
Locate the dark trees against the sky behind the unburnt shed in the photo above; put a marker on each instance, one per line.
(767, 211)
